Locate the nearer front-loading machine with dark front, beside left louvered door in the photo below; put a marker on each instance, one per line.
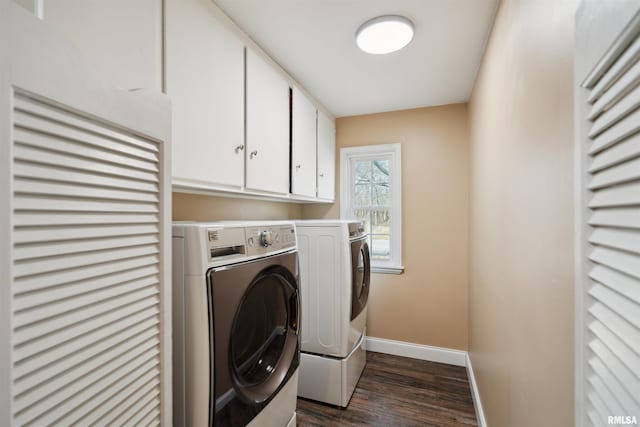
(236, 347)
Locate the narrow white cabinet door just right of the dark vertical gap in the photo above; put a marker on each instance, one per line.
(303, 167)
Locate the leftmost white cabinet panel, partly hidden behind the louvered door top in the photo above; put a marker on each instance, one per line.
(122, 39)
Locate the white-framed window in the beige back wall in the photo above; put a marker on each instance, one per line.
(370, 180)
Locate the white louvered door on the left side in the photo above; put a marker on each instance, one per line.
(88, 197)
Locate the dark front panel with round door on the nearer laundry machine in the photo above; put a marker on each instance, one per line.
(254, 328)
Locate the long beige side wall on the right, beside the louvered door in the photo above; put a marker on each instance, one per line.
(521, 291)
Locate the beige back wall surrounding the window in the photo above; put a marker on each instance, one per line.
(428, 303)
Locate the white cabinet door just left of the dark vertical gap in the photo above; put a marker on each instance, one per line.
(267, 154)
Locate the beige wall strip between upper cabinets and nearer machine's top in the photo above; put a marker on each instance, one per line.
(193, 207)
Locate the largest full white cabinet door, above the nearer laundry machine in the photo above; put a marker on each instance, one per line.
(205, 79)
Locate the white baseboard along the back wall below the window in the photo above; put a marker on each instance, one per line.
(417, 351)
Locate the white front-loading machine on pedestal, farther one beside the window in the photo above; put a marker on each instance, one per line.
(335, 277)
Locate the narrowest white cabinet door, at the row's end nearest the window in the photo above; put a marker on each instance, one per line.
(326, 156)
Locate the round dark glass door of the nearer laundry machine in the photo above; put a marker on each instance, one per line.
(263, 334)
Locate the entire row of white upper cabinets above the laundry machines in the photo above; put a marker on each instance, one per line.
(234, 129)
